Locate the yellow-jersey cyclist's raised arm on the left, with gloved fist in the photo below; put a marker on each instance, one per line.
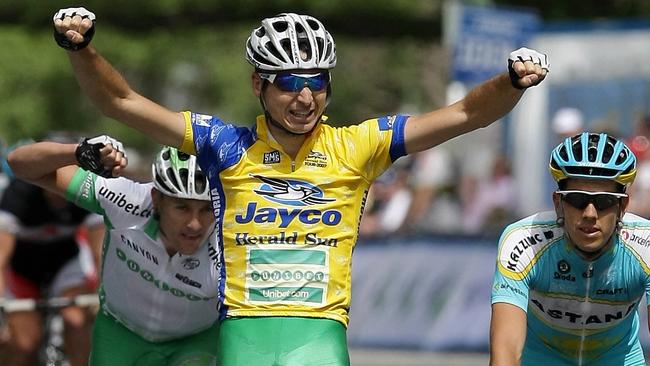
(107, 89)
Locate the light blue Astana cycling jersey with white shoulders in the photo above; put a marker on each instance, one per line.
(579, 312)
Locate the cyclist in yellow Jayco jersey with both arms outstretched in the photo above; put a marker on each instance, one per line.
(289, 192)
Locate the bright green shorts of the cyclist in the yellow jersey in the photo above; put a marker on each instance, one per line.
(282, 341)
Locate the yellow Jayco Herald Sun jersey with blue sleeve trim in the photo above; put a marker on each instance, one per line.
(287, 227)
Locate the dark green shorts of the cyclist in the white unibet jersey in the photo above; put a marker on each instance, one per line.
(114, 344)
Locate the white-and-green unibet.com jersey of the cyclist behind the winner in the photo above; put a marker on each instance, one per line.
(156, 296)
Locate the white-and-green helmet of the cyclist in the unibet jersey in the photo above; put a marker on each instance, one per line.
(178, 175)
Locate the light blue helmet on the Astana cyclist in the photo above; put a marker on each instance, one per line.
(593, 156)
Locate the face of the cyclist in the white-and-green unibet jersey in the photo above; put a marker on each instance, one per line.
(184, 223)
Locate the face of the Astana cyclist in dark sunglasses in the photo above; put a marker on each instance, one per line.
(589, 228)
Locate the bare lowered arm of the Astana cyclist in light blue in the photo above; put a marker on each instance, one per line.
(507, 334)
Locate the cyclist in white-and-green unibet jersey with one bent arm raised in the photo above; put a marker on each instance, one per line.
(159, 283)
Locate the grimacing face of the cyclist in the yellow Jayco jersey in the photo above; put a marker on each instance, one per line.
(297, 111)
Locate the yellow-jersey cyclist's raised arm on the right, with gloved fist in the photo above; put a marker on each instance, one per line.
(483, 105)
